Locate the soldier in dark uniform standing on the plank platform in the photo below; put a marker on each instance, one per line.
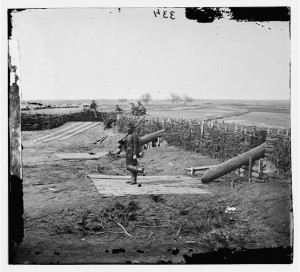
(132, 153)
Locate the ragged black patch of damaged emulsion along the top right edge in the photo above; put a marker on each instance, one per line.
(257, 14)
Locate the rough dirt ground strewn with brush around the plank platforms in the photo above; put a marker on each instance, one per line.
(68, 222)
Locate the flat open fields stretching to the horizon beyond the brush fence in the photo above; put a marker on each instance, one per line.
(269, 114)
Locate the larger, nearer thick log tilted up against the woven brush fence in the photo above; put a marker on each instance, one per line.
(234, 163)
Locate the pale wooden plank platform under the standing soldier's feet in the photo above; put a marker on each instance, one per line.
(109, 186)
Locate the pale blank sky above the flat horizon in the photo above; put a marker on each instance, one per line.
(101, 53)
